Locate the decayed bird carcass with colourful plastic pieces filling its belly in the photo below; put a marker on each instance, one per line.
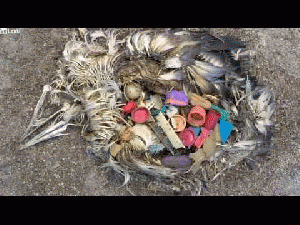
(160, 103)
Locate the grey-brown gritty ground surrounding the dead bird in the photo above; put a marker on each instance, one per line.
(62, 167)
